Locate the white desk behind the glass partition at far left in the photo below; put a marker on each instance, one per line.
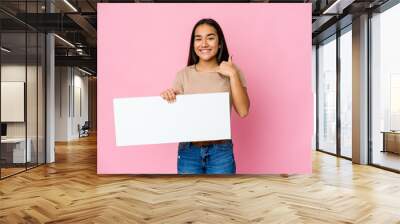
(16, 147)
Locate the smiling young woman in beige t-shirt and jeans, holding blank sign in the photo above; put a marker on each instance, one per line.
(209, 69)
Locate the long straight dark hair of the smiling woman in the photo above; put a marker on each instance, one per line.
(222, 54)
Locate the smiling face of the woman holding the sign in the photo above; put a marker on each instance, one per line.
(206, 42)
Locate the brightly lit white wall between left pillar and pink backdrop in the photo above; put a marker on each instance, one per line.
(71, 93)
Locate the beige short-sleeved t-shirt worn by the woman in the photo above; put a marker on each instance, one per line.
(190, 81)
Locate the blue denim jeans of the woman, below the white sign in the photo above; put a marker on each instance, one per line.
(211, 159)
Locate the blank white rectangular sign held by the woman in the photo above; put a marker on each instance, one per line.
(152, 120)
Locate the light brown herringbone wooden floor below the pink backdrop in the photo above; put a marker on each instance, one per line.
(70, 191)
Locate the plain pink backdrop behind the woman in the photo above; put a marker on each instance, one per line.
(142, 46)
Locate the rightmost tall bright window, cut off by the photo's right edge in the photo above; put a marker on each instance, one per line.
(385, 88)
